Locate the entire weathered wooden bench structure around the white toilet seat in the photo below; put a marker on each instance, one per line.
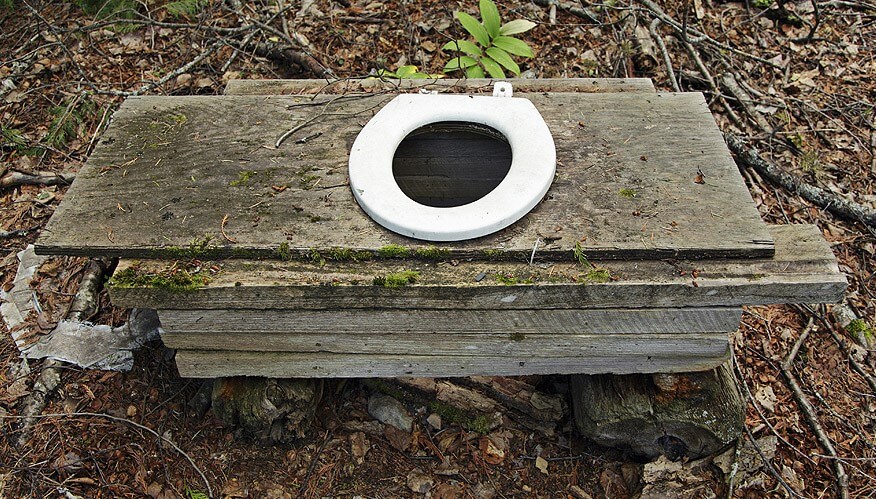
(179, 184)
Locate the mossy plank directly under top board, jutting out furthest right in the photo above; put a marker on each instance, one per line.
(803, 270)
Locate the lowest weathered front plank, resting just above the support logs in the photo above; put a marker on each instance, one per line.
(212, 364)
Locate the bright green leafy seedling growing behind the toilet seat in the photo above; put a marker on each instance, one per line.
(493, 49)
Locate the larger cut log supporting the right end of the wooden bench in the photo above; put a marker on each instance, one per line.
(678, 415)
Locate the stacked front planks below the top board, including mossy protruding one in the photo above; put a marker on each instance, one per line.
(296, 319)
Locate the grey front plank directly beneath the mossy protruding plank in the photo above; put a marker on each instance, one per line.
(450, 324)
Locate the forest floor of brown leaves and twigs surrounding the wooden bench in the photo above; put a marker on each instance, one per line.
(797, 80)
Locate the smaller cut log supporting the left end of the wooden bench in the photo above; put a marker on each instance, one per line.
(276, 410)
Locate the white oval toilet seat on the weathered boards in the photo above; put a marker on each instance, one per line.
(532, 168)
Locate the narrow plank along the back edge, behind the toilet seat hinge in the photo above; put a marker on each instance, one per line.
(473, 85)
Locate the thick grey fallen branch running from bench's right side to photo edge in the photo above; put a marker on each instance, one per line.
(849, 210)
